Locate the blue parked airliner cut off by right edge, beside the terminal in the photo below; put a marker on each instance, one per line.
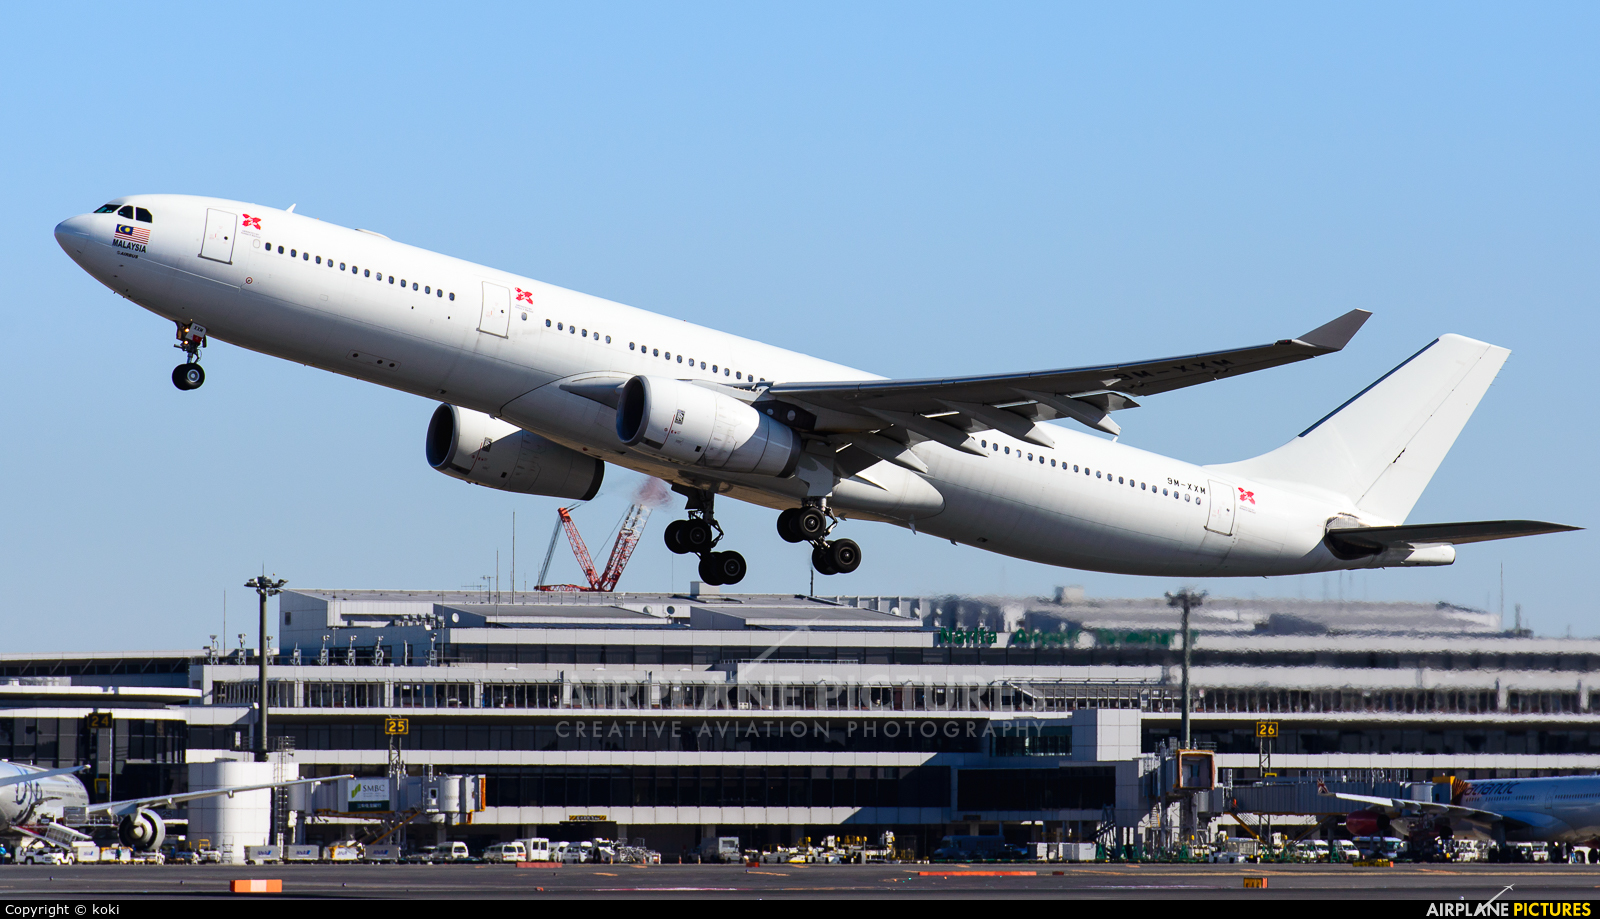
(1558, 809)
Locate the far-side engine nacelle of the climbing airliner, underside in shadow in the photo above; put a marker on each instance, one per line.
(484, 451)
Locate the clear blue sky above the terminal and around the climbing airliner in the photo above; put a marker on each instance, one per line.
(911, 190)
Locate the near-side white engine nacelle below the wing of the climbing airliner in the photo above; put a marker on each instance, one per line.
(700, 427)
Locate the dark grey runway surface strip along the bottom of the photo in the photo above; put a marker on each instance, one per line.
(846, 881)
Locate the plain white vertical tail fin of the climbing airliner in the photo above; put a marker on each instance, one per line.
(1383, 447)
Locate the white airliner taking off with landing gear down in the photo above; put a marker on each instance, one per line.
(543, 387)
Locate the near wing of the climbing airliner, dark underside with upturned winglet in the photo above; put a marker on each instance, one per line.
(1014, 403)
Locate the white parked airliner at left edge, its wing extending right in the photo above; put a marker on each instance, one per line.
(49, 805)
